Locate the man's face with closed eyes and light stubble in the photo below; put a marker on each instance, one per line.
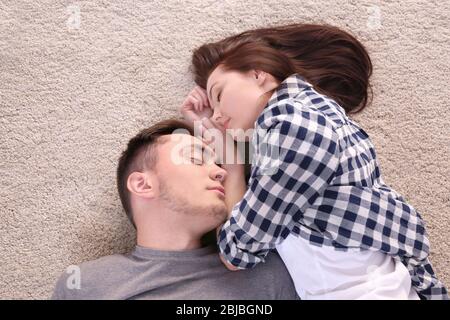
(190, 183)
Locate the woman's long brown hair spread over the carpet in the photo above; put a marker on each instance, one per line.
(331, 59)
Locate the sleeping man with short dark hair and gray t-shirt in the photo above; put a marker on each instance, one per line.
(173, 193)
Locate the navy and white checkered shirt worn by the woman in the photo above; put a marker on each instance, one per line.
(327, 188)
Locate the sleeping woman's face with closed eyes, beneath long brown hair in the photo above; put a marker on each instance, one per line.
(236, 98)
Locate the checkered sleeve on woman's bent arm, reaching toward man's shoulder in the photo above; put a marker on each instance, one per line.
(307, 149)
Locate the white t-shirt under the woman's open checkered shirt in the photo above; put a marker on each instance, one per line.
(325, 273)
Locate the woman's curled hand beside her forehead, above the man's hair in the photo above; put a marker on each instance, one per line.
(196, 105)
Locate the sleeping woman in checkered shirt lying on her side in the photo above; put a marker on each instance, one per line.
(340, 230)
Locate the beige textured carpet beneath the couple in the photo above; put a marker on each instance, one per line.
(79, 78)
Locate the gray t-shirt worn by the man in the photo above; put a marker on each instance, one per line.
(195, 274)
